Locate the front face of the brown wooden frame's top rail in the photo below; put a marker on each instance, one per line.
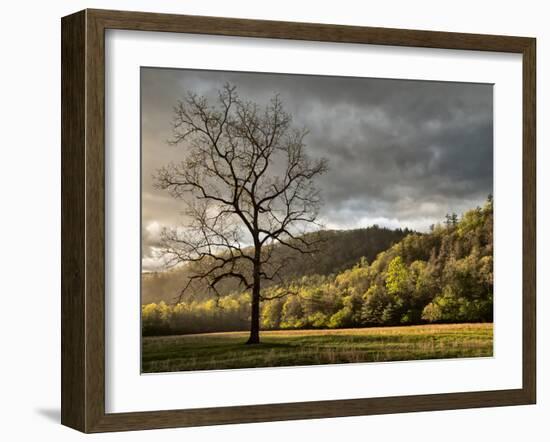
(144, 21)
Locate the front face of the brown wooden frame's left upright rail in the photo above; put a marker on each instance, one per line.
(95, 221)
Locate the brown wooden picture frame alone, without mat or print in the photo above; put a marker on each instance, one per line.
(83, 220)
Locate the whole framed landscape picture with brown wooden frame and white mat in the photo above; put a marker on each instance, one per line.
(267, 221)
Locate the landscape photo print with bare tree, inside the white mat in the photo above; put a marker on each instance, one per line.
(298, 220)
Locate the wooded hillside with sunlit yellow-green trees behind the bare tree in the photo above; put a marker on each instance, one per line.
(443, 276)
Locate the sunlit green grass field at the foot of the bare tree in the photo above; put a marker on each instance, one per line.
(214, 351)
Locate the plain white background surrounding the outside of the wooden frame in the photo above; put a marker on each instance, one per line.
(30, 217)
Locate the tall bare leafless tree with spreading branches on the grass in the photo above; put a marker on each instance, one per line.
(246, 184)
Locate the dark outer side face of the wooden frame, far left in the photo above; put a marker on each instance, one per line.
(73, 104)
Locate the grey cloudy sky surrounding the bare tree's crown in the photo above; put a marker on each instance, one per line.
(401, 153)
